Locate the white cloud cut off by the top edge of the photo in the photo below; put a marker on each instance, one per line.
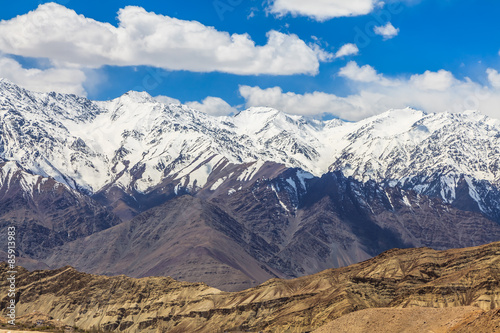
(322, 10)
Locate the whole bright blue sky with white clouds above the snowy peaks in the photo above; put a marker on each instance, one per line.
(435, 55)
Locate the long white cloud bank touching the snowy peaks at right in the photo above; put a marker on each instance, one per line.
(374, 93)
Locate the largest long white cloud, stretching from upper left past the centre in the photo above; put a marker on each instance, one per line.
(143, 38)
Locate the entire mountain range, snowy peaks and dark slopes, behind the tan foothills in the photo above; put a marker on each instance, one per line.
(138, 187)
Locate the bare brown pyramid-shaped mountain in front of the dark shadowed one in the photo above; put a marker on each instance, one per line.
(185, 238)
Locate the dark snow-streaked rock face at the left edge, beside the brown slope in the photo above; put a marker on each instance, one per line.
(46, 213)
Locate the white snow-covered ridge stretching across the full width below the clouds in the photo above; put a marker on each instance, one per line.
(136, 141)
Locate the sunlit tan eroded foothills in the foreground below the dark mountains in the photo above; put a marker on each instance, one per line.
(398, 279)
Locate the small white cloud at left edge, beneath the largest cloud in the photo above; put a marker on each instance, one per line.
(64, 80)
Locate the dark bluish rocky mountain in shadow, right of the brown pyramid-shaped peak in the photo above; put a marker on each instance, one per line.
(338, 221)
